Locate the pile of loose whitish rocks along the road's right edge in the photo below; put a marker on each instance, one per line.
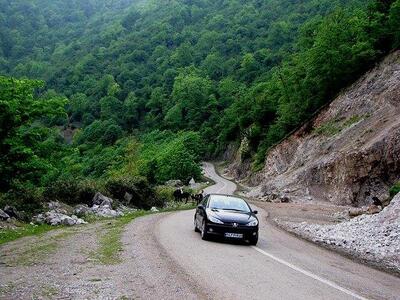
(372, 238)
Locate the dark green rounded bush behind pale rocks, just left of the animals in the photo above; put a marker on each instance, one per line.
(143, 195)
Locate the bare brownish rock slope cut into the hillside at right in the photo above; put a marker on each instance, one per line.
(348, 154)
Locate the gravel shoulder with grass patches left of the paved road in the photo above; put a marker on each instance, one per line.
(62, 264)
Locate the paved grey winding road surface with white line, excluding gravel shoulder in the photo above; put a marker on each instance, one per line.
(281, 266)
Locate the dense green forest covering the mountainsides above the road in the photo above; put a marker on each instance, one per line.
(96, 95)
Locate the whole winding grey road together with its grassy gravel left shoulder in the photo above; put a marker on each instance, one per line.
(161, 257)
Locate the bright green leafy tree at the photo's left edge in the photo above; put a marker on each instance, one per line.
(24, 140)
